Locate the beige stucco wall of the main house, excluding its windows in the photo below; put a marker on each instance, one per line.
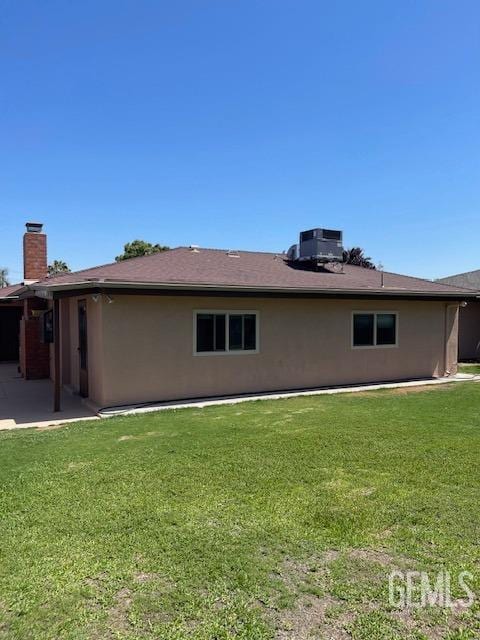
(146, 352)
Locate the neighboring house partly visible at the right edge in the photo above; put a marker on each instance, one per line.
(469, 320)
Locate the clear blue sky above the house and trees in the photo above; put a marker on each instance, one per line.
(235, 124)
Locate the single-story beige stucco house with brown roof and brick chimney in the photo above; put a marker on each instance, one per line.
(193, 322)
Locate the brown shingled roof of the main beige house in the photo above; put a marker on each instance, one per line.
(186, 268)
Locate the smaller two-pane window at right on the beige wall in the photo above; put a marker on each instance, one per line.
(374, 329)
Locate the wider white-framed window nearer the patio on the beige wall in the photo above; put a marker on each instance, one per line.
(218, 332)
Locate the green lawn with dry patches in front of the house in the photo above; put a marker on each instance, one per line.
(270, 519)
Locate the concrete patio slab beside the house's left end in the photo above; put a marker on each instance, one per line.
(28, 403)
